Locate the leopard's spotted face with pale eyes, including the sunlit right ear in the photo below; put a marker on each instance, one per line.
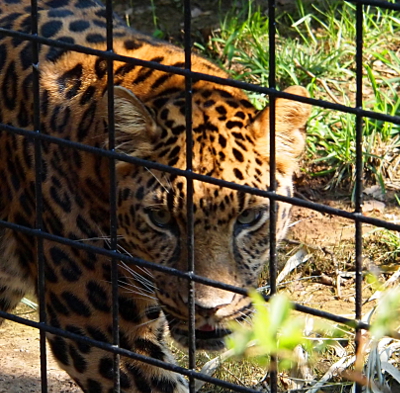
(231, 228)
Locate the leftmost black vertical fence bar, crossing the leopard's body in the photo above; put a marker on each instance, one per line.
(38, 195)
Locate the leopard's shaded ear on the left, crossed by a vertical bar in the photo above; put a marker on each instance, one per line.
(135, 129)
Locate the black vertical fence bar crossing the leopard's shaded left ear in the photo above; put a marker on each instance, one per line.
(113, 192)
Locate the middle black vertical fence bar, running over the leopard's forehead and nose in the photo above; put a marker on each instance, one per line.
(189, 190)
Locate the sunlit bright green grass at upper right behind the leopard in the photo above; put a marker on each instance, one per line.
(316, 48)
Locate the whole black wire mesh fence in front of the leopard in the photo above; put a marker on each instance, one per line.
(190, 275)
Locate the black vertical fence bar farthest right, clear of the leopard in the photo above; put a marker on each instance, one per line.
(359, 174)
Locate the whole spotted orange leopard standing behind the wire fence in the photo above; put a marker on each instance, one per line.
(230, 142)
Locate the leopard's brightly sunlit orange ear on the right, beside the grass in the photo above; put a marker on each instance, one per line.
(291, 118)
